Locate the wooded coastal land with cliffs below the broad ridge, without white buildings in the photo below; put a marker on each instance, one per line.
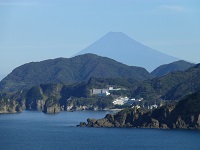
(52, 98)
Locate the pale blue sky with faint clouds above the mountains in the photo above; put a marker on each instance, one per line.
(35, 30)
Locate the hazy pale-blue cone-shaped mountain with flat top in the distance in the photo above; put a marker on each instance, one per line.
(122, 48)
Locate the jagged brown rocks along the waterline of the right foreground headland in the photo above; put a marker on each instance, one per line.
(143, 120)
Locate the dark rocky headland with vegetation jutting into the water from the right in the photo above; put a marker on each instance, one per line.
(185, 114)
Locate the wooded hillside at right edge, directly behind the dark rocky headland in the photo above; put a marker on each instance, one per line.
(172, 86)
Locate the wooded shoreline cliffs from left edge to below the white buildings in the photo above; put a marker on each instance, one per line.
(52, 98)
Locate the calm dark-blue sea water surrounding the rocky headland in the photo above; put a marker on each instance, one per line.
(35, 130)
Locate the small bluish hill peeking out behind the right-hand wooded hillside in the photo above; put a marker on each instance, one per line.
(180, 65)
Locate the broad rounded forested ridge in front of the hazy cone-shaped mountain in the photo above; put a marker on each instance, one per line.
(69, 70)
